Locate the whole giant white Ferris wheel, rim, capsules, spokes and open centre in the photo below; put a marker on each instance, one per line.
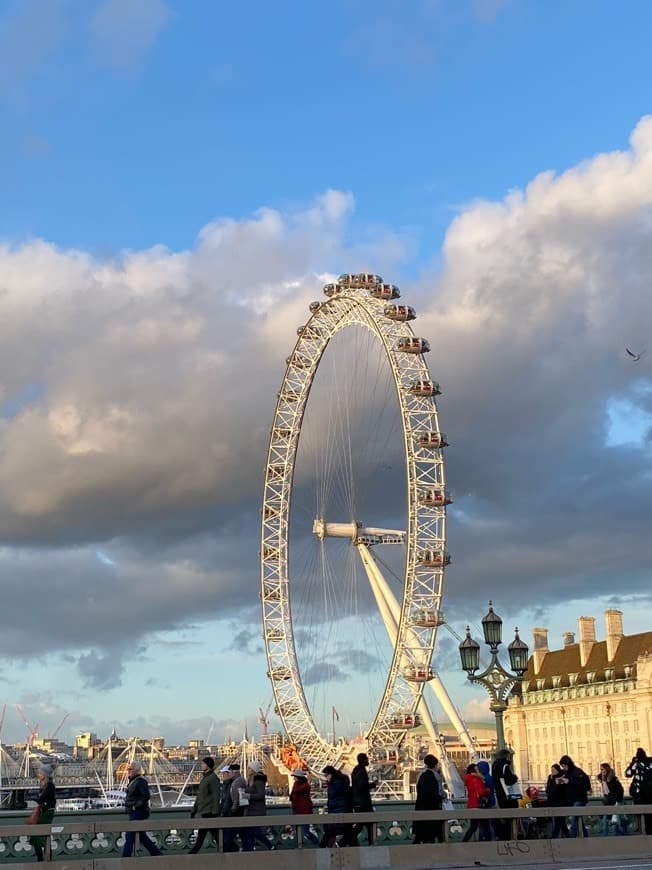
(353, 522)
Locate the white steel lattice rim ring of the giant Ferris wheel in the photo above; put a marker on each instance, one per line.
(361, 300)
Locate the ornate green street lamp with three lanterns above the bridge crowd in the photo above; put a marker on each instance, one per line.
(496, 680)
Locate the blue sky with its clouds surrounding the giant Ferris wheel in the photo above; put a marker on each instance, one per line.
(139, 144)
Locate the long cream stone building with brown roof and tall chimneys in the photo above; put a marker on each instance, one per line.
(590, 699)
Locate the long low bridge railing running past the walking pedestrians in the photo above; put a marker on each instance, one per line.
(68, 839)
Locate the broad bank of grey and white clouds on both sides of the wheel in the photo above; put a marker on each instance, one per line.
(136, 395)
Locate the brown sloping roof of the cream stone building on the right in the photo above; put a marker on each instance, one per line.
(565, 661)
